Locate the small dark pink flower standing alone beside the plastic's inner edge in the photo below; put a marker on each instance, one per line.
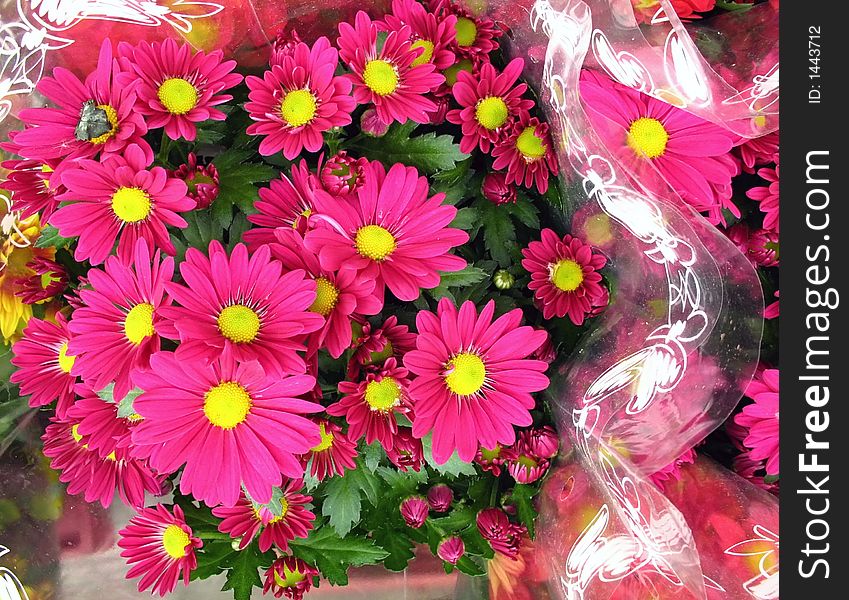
(564, 276)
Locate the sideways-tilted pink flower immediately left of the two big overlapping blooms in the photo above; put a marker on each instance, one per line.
(119, 323)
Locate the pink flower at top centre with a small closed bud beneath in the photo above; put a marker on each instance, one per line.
(387, 77)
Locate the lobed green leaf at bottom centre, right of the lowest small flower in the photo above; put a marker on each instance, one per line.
(333, 554)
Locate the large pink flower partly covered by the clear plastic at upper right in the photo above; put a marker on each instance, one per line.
(661, 143)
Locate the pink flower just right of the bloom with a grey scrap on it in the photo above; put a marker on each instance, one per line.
(177, 87)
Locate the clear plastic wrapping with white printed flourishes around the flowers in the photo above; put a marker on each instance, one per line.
(672, 354)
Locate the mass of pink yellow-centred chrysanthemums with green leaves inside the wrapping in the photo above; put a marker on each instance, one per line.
(301, 314)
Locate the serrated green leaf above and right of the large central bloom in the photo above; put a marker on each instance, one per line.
(428, 153)
